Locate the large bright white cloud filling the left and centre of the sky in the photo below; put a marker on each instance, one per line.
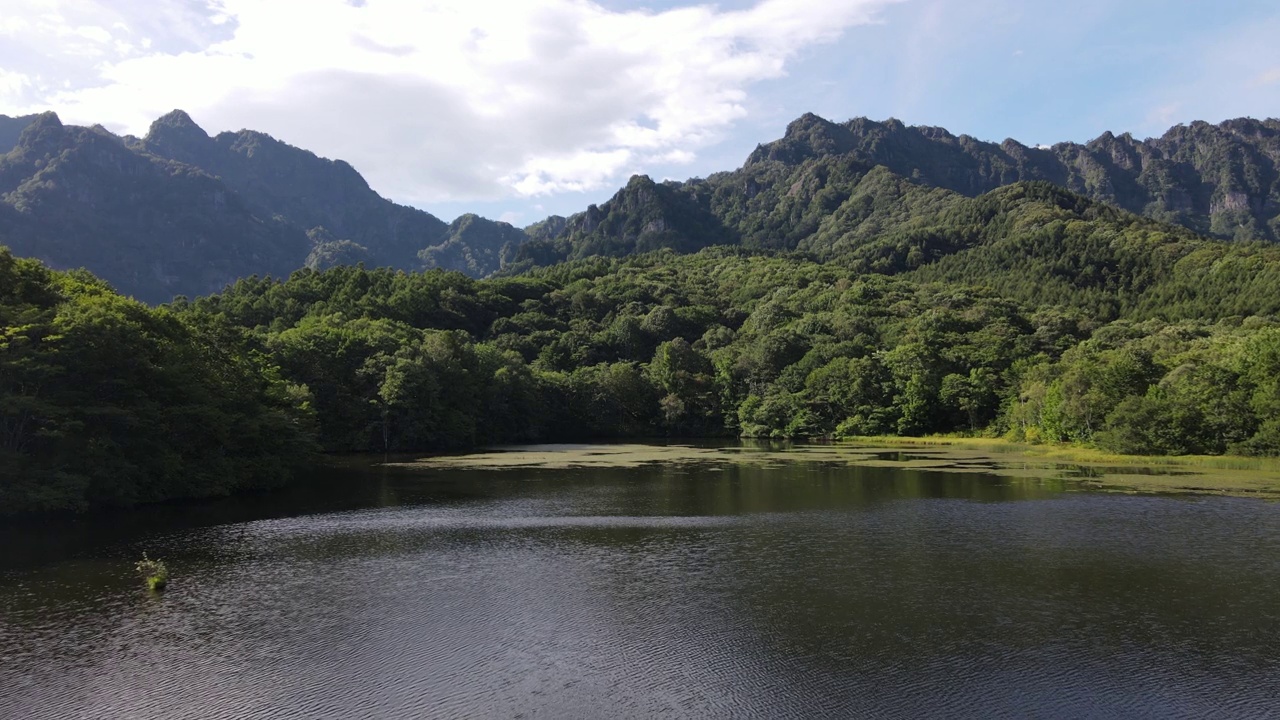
(450, 101)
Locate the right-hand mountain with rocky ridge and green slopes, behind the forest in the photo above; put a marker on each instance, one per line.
(829, 188)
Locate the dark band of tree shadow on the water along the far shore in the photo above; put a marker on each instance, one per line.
(365, 484)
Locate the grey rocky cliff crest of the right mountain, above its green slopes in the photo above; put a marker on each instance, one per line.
(1220, 180)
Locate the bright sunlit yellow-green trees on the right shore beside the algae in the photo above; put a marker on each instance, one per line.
(1158, 389)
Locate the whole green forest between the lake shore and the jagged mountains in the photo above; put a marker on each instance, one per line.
(1028, 313)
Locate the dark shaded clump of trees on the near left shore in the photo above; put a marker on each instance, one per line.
(106, 402)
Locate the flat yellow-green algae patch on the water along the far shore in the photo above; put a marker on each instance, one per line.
(1187, 479)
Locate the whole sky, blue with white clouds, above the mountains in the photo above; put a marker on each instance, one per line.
(528, 108)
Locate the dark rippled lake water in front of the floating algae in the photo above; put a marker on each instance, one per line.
(661, 593)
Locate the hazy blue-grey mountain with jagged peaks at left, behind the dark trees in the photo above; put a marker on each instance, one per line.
(182, 213)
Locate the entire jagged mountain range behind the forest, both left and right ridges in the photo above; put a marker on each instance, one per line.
(180, 212)
